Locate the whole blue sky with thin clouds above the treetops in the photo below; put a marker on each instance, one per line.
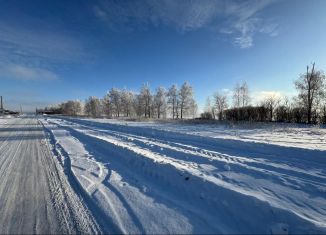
(51, 51)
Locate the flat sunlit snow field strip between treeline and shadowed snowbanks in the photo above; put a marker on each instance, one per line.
(292, 135)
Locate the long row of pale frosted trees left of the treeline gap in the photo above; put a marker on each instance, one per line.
(163, 103)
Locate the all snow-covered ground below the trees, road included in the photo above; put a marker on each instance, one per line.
(63, 175)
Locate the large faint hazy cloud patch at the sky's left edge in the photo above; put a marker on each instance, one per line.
(33, 53)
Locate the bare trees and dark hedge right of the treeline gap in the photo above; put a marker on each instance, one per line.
(309, 106)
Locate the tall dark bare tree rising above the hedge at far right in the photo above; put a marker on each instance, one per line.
(310, 85)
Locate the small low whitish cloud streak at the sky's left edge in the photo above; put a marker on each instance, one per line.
(20, 72)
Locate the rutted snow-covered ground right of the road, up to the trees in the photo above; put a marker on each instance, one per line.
(171, 178)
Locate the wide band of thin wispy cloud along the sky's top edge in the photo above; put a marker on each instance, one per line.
(240, 19)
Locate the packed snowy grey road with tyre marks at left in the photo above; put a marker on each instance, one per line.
(35, 196)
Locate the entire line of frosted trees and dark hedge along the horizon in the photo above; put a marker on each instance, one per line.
(309, 106)
